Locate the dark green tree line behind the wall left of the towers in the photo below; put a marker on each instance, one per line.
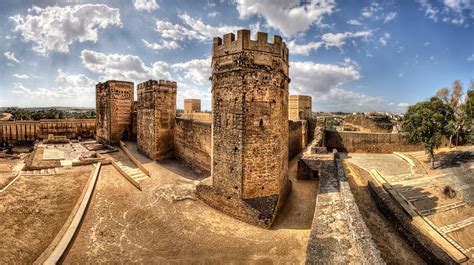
(26, 114)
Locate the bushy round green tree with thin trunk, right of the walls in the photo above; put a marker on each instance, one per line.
(426, 122)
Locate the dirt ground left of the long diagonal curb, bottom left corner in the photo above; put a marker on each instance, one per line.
(34, 209)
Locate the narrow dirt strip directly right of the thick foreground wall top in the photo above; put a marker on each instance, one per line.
(393, 248)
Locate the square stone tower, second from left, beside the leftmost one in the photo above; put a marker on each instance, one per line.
(156, 114)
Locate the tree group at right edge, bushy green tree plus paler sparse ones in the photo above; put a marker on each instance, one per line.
(450, 113)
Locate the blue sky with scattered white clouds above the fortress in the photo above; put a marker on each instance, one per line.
(348, 55)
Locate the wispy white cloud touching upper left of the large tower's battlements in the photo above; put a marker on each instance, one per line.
(193, 29)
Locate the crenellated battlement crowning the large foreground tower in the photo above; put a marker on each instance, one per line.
(230, 45)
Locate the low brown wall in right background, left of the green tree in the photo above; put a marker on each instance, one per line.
(357, 142)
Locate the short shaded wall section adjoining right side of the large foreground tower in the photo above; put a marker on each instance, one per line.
(298, 137)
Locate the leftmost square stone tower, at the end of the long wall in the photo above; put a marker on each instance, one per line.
(114, 103)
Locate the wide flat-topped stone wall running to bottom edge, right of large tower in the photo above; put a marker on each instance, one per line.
(338, 232)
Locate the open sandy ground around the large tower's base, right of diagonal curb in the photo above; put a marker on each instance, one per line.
(165, 223)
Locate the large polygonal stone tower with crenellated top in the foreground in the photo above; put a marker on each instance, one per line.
(249, 128)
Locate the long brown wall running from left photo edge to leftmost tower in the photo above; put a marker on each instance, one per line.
(15, 132)
